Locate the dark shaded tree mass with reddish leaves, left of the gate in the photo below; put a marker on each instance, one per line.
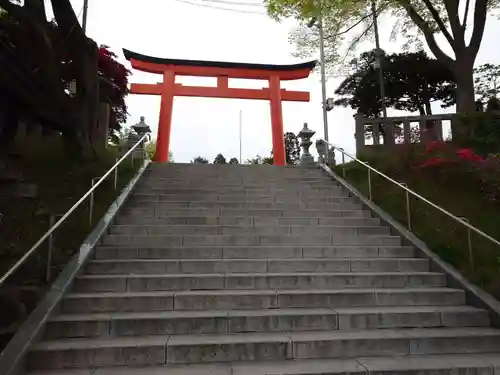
(42, 58)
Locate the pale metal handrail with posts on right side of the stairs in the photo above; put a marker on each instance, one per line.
(464, 221)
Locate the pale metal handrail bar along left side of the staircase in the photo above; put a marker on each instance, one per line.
(89, 193)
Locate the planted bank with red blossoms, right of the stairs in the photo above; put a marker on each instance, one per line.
(460, 183)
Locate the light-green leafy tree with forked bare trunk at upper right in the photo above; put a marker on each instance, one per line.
(414, 19)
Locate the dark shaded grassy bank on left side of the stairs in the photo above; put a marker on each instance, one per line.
(60, 182)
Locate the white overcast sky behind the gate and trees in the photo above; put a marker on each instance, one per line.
(204, 126)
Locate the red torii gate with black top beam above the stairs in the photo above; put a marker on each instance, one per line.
(169, 68)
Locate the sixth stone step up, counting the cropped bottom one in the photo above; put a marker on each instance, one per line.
(205, 266)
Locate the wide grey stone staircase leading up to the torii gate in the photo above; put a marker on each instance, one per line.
(253, 270)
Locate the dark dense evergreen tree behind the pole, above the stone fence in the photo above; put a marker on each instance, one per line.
(412, 82)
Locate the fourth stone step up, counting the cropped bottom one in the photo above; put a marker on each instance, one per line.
(258, 299)
